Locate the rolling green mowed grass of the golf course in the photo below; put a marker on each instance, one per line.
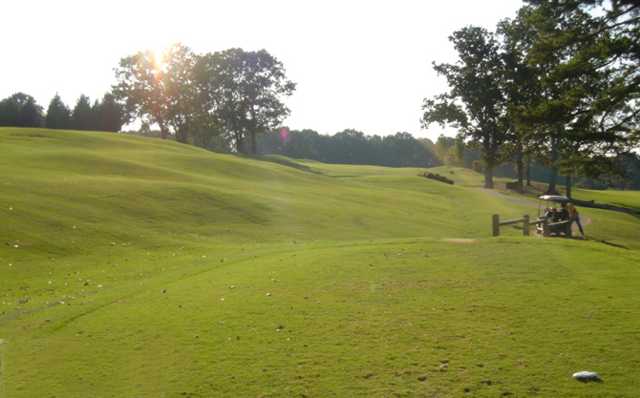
(134, 267)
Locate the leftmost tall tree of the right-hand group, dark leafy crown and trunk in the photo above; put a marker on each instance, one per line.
(475, 102)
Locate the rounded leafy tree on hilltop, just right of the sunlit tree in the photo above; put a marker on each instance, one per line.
(243, 90)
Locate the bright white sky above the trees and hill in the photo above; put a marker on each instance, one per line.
(358, 64)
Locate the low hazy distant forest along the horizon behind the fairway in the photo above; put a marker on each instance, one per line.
(403, 150)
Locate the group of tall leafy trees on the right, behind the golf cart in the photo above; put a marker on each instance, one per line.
(558, 83)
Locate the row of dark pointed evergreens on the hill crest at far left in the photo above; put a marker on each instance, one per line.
(22, 110)
